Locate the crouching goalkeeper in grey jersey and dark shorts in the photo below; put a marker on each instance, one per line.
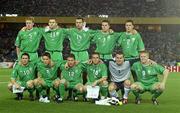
(120, 75)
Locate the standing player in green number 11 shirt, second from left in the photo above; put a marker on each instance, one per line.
(53, 38)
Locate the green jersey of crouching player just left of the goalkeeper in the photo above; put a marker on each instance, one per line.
(95, 72)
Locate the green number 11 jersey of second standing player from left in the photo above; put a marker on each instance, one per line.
(53, 39)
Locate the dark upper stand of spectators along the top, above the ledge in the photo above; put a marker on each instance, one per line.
(144, 8)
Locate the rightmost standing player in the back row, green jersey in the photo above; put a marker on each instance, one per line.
(131, 44)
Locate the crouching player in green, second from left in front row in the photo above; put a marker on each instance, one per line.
(47, 78)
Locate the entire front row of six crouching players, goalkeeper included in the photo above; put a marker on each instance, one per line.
(71, 77)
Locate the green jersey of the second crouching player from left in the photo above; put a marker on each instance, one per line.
(47, 72)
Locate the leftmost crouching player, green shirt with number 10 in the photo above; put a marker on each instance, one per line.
(22, 76)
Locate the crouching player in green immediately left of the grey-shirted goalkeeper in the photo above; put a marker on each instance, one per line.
(97, 74)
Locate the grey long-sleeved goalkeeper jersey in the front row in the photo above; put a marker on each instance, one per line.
(119, 73)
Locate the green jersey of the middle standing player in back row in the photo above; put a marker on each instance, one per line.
(79, 39)
